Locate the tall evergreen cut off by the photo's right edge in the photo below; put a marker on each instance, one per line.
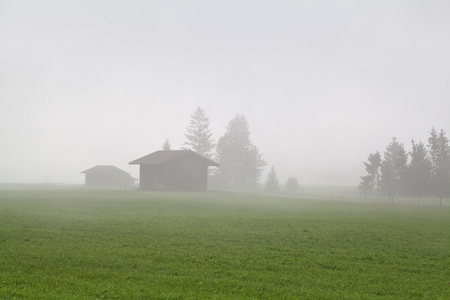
(440, 163)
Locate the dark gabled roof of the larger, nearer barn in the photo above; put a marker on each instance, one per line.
(164, 156)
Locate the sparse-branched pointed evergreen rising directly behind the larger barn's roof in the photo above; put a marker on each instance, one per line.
(199, 137)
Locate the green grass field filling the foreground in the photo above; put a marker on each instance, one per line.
(94, 244)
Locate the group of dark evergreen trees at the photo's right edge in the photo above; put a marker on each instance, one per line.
(421, 172)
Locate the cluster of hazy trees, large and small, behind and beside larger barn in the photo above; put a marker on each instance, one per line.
(241, 162)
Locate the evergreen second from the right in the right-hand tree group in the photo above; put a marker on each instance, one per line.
(419, 171)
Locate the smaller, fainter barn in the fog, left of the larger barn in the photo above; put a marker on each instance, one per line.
(108, 177)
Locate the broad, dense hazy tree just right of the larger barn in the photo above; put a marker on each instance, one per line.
(241, 163)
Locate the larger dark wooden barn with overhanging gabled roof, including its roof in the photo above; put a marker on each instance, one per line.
(174, 170)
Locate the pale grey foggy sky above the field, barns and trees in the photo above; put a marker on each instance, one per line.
(321, 83)
